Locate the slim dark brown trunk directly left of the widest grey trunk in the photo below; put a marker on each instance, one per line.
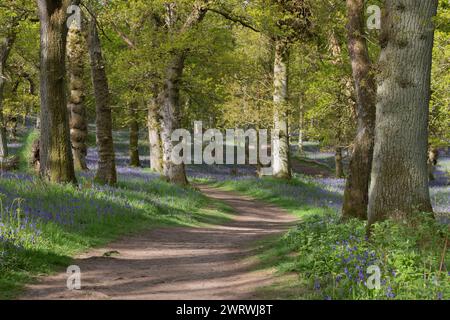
(356, 196)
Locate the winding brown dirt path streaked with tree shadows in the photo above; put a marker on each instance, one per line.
(178, 263)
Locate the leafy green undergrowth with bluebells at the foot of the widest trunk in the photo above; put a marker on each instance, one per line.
(334, 257)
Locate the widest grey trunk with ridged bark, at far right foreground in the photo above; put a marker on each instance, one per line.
(399, 182)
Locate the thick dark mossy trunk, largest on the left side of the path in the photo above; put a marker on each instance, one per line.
(56, 163)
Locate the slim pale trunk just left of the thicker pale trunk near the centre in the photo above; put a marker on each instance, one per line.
(154, 135)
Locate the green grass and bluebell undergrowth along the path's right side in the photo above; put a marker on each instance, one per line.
(325, 258)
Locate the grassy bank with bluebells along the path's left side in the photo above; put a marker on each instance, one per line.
(42, 225)
